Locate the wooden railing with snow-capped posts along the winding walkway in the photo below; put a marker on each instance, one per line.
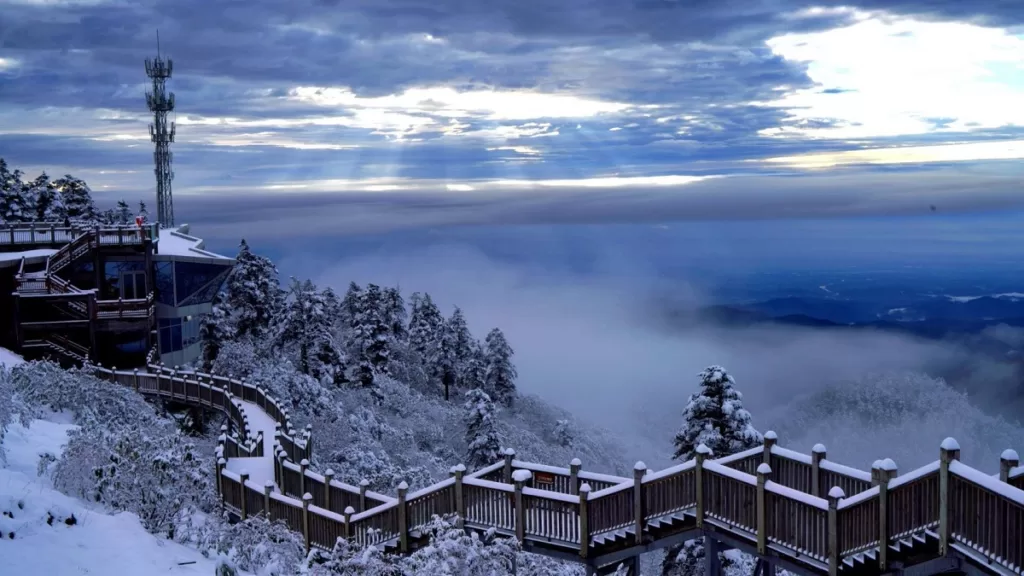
(759, 505)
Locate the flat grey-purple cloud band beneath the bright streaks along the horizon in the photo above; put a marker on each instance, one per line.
(850, 193)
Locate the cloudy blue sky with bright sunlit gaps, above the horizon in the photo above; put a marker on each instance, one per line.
(374, 115)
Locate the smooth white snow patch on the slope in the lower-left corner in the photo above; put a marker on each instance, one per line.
(98, 544)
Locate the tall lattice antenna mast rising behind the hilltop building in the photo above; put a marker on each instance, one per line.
(160, 103)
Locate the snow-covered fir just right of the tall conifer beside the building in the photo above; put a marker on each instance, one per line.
(307, 325)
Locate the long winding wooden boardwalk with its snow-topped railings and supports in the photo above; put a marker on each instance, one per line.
(799, 512)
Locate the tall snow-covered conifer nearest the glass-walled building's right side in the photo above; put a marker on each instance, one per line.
(254, 297)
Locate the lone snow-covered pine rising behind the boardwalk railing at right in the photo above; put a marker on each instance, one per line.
(715, 418)
